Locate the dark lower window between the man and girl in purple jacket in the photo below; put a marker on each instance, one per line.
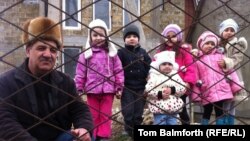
(69, 59)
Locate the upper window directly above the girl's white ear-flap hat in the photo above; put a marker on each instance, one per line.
(102, 10)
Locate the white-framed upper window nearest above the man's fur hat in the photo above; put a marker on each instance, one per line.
(71, 7)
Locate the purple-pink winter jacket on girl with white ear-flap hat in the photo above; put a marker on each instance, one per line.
(104, 74)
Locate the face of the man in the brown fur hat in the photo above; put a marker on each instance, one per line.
(42, 57)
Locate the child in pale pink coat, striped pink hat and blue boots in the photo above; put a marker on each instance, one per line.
(214, 88)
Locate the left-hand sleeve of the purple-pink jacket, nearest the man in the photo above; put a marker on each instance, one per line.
(81, 72)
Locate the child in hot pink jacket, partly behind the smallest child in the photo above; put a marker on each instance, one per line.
(172, 41)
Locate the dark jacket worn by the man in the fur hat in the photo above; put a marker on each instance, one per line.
(20, 117)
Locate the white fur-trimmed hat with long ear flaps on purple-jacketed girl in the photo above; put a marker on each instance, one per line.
(88, 51)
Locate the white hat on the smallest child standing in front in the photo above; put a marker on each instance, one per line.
(165, 56)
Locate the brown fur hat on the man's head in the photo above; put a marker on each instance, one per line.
(42, 28)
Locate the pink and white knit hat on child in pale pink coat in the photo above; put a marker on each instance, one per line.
(206, 37)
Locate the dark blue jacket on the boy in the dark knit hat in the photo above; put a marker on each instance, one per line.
(136, 65)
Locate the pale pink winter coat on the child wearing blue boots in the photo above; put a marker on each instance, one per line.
(214, 86)
